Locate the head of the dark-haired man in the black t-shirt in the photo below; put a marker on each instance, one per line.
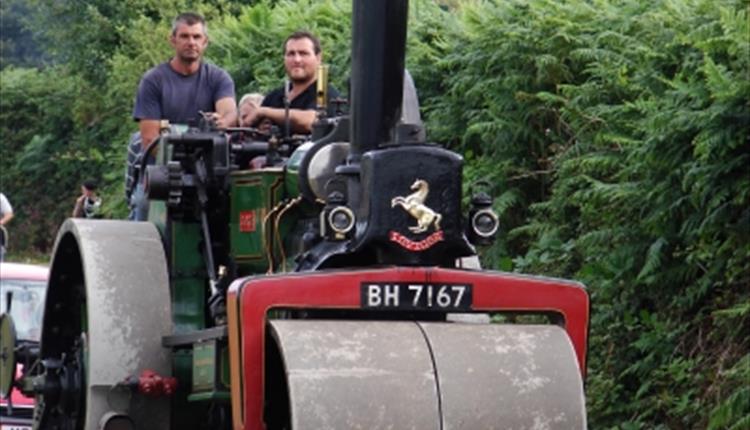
(302, 56)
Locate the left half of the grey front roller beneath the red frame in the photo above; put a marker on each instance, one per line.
(357, 375)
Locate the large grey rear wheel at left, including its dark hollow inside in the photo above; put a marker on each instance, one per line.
(119, 271)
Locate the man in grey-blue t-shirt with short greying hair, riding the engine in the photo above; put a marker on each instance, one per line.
(180, 89)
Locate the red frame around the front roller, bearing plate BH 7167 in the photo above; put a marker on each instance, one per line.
(492, 291)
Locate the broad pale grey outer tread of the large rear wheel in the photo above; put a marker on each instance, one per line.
(127, 294)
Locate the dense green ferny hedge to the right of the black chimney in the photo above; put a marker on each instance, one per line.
(622, 129)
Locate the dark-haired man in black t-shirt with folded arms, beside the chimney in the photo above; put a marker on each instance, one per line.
(302, 56)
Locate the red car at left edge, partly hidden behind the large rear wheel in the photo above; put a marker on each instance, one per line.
(26, 285)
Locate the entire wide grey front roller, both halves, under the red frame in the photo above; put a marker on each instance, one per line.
(407, 375)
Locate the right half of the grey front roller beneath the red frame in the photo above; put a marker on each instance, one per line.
(500, 376)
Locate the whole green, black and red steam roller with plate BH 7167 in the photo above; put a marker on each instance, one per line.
(334, 285)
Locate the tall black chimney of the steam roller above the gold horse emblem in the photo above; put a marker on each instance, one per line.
(378, 49)
